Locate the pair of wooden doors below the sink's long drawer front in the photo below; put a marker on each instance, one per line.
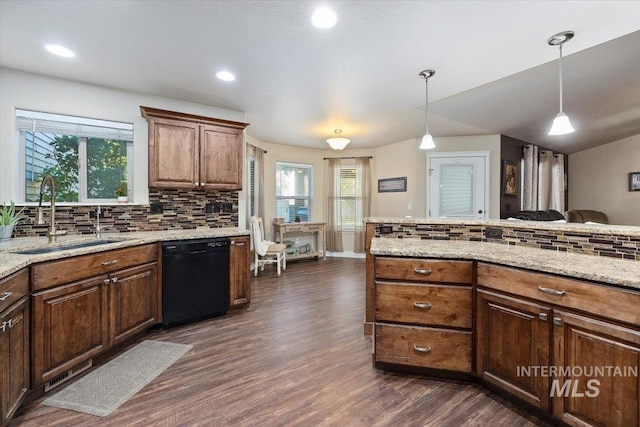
(79, 320)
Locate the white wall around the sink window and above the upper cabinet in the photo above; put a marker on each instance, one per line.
(38, 93)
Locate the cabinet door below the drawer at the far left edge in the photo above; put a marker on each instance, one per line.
(14, 357)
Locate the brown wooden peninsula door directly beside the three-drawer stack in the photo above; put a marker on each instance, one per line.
(513, 335)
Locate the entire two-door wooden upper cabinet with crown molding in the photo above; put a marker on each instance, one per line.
(189, 151)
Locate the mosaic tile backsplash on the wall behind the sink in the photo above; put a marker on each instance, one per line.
(186, 209)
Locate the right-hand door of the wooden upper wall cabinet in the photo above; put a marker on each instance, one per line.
(220, 158)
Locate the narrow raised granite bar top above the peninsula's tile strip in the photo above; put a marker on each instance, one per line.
(627, 230)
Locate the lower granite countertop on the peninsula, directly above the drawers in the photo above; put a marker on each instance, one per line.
(611, 271)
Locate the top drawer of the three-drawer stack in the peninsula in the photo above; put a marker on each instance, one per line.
(424, 270)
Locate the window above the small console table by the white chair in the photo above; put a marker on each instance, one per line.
(293, 191)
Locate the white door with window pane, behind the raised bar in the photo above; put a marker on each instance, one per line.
(457, 186)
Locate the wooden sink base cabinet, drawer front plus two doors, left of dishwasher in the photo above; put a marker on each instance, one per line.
(84, 305)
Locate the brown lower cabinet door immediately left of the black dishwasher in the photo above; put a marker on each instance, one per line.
(133, 301)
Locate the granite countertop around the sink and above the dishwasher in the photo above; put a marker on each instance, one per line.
(11, 262)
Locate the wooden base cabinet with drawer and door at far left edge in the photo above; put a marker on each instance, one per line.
(14, 343)
